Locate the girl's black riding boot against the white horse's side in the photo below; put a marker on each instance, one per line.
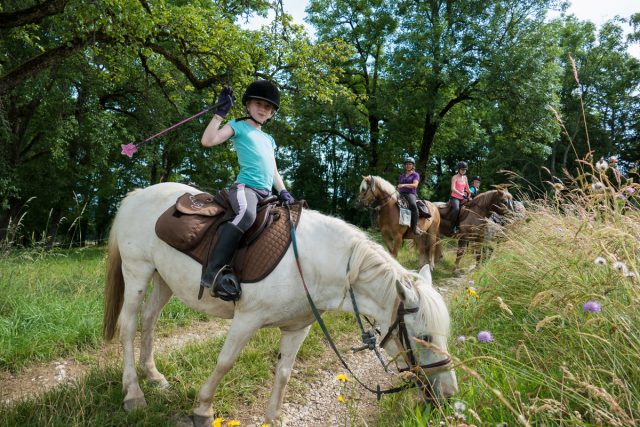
(227, 285)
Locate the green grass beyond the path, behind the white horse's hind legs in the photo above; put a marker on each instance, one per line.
(51, 305)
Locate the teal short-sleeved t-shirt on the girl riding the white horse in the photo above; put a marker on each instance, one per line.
(256, 155)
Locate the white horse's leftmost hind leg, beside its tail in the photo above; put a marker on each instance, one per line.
(136, 279)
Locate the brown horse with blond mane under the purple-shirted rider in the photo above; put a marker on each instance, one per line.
(379, 194)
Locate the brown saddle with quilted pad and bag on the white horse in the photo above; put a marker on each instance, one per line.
(190, 226)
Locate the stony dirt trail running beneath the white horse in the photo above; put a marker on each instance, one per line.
(314, 403)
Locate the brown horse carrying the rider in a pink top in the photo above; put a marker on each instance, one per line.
(474, 219)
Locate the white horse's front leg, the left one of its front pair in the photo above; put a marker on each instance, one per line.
(241, 330)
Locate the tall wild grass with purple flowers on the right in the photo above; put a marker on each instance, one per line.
(560, 297)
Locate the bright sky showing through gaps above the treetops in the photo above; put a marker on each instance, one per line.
(596, 11)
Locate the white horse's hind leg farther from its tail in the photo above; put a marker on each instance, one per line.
(150, 313)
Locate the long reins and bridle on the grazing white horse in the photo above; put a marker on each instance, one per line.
(368, 338)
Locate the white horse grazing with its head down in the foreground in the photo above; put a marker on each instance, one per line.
(333, 257)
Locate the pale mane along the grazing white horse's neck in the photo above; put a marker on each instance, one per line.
(369, 260)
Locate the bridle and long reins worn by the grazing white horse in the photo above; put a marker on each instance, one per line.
(369, 339)
